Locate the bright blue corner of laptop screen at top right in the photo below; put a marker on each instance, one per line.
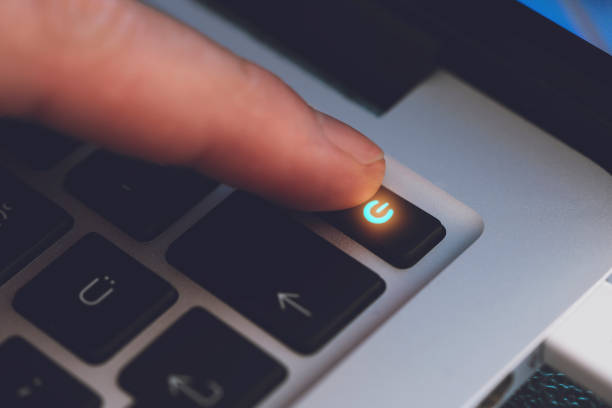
(589, 19)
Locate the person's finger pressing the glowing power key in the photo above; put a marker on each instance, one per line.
(126, 77)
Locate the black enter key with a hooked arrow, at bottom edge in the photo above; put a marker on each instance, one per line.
(201, 362)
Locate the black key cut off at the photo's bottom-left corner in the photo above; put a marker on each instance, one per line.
(31, 380)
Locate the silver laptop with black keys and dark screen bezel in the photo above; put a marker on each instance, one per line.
(148, 286)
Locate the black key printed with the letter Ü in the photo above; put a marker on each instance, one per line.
(94, 299)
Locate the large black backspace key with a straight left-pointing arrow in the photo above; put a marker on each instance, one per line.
(275, 271)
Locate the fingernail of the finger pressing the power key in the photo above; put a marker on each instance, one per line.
(349, 140)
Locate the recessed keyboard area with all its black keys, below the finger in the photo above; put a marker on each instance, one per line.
(125, 283)
